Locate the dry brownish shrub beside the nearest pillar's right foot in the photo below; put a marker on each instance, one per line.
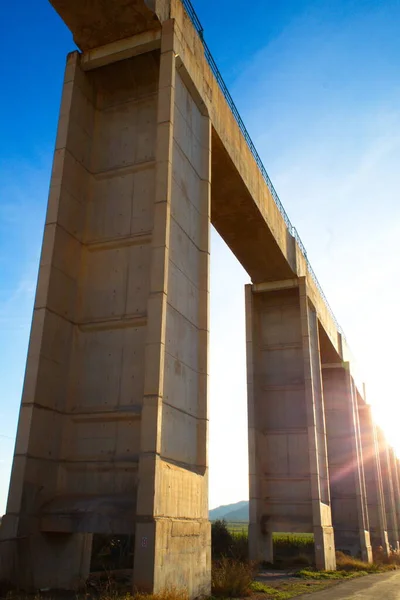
(231, 578)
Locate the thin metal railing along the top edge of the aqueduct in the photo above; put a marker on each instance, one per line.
(292, 230)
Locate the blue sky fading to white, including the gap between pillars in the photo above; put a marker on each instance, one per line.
(318, 86)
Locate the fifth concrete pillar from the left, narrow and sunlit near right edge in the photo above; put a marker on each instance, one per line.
(388, 491)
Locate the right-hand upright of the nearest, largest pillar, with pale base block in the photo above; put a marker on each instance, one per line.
(172, 512)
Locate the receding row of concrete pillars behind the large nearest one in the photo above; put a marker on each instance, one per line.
(318, 463)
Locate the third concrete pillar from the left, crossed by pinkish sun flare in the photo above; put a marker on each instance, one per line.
(346, 473)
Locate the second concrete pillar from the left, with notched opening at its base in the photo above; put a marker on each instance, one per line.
(287, 442)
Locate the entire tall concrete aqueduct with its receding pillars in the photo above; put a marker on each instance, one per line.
(112, 435)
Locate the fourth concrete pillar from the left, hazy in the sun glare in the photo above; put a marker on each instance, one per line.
(373, 479)
